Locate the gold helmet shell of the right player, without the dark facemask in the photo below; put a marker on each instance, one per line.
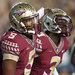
(49, 20)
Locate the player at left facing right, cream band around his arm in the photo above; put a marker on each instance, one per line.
(18, 43)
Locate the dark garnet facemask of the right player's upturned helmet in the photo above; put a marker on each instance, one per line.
(65, 23)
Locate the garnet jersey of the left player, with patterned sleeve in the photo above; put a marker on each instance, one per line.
(19, 45)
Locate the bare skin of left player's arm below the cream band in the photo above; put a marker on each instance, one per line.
(9, 67)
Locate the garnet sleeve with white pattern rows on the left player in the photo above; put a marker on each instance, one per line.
(9, 44)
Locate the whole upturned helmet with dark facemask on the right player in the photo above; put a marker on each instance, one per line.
(57, 21)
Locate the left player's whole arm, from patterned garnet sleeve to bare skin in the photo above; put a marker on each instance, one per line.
(10, 52)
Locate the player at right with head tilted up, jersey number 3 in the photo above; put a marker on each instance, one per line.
(53, 43)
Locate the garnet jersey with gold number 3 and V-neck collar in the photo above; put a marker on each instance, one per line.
(48, 54)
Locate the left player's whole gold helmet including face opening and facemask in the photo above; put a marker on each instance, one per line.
(23, 18)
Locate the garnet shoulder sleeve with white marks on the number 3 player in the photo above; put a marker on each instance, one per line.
(41, 42)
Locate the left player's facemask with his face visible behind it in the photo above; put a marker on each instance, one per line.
(29, 24)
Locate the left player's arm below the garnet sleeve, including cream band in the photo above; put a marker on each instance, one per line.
(9, 64)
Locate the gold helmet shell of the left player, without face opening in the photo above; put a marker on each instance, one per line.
(18, 12)
